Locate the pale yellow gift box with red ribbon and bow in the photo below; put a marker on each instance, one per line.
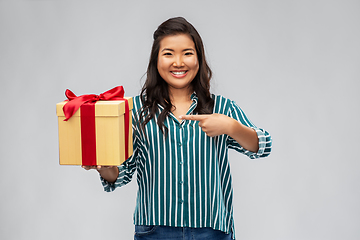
(95, 132)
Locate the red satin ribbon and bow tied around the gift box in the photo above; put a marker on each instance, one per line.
(86, 103)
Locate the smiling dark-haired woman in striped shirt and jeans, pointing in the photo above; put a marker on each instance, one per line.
(182, 134)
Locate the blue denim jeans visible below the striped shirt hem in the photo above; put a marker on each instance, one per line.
(178, 233)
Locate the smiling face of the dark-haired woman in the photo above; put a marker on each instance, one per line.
(177, 61)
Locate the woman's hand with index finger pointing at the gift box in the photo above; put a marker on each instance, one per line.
(212, 124)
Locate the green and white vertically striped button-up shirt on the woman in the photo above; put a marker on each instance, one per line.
(184, 178)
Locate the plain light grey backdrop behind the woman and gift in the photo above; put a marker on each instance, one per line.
(293, 67)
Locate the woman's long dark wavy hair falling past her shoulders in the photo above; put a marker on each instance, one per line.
(155, 90)
